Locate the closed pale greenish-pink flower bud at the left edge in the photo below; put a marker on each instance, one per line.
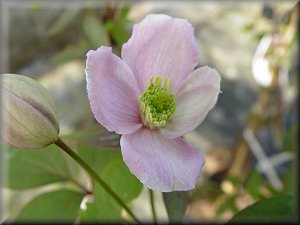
(29, 117)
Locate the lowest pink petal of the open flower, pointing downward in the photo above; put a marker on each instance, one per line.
(160, 163)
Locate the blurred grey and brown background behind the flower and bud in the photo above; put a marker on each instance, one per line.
(250, 139)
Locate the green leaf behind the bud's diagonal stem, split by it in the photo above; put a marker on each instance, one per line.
(104, 208)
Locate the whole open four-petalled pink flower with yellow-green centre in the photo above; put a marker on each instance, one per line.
(152, 96)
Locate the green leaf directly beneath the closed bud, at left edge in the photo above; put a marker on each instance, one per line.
(33, 168)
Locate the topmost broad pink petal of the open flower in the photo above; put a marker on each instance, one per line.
(161, 45)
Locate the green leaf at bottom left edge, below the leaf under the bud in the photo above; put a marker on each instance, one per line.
(55, 206)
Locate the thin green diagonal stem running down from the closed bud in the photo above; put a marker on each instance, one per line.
(94, 175)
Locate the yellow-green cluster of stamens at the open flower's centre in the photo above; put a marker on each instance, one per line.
(157, 103)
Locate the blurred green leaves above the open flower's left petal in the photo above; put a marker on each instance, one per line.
(107, 27)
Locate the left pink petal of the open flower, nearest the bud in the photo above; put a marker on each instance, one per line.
(112, 91)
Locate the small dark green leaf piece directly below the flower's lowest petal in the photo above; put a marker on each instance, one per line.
(176, 203)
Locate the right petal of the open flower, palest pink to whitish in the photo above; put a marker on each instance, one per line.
(194, 100)
